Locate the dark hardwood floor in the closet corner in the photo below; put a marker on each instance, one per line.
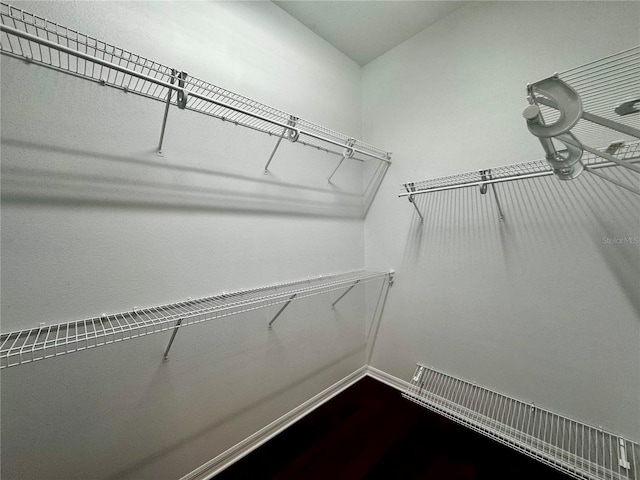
(370, 432)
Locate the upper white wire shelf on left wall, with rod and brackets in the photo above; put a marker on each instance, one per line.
(40, 41)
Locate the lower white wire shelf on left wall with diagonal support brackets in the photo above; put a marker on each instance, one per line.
(46, 341)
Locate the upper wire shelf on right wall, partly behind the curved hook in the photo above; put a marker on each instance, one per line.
(519, 171)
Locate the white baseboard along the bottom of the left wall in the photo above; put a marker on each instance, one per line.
(235, 453)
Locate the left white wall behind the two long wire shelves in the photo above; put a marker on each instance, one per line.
(94, 221)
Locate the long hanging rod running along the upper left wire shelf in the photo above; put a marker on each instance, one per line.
(188, 92)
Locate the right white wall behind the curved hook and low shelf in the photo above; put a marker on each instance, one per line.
(537, 306)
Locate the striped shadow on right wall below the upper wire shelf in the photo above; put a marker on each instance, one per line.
(578, 218)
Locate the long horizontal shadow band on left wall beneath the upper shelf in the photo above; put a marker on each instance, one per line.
(164, 186)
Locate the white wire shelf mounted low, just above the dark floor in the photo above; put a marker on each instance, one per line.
(577, 449)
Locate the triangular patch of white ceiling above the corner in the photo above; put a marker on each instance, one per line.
(364, 30)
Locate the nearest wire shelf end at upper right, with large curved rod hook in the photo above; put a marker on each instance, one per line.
(594, 104)
